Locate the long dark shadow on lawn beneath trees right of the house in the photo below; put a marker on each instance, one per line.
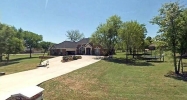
(128, 61)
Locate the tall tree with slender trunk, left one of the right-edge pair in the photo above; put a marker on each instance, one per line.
(169, 22)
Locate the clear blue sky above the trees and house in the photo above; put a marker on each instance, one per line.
(53, 18)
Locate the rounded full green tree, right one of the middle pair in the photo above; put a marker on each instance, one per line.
(132, 35)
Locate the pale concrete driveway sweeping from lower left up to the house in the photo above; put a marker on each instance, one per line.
(9, 84)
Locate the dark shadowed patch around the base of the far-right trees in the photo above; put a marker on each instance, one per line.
(180, 76)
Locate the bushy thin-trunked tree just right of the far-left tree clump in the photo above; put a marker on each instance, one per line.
(31, 40)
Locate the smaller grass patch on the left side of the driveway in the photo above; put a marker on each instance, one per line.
(20, 63)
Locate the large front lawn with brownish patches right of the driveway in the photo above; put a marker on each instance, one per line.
(116, 80)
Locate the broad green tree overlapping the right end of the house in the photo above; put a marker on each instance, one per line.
(107, 34)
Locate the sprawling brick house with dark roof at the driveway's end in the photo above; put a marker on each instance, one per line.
(82, 47)
